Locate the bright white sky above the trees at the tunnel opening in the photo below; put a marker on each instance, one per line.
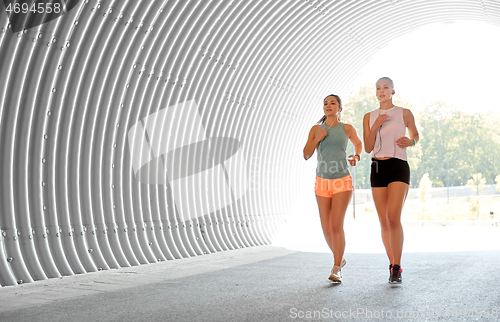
(458, 63)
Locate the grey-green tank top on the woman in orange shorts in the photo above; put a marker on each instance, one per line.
(332, 162)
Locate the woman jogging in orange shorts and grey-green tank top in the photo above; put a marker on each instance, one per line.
(333, 186)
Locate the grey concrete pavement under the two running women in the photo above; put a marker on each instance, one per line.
(276, 283)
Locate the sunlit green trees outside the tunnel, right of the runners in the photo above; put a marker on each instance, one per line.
(468, 142)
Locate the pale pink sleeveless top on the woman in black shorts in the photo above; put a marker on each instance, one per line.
(392, 129)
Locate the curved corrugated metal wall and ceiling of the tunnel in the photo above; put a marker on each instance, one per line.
(139, 131)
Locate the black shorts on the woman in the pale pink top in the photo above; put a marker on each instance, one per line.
(387, 171)
